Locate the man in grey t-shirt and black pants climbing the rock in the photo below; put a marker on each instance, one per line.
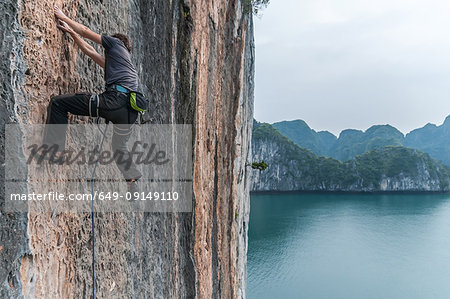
(112, 105)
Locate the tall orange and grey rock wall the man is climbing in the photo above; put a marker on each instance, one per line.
(196, 61)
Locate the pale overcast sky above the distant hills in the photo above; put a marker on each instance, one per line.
(353, 63)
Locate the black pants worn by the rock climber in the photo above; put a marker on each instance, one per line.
(113, 106)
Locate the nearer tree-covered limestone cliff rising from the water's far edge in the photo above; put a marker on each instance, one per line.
(292, 168)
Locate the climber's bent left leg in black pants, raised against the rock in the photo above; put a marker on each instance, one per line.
(57, 114)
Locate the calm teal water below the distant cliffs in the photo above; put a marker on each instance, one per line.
(349, 246)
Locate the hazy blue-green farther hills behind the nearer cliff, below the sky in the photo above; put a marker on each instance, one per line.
(432, 139)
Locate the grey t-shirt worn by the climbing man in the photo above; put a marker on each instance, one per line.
(118, 67)
